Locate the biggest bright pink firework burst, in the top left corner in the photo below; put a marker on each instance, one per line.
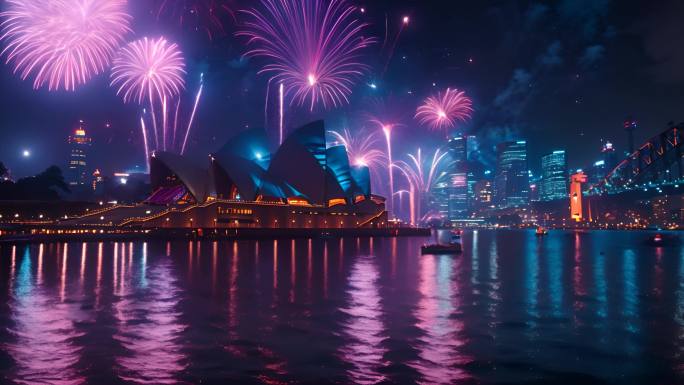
(62, 43)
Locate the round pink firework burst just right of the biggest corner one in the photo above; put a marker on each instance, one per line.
(148, 68)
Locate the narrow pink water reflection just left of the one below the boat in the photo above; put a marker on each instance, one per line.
(364, 330)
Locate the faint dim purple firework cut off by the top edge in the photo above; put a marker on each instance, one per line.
(198, 15)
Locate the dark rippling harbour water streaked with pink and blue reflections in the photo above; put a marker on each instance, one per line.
(570, 307)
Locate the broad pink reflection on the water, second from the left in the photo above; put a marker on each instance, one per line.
(149, 329)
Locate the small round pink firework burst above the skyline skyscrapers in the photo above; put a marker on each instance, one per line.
(444, 110)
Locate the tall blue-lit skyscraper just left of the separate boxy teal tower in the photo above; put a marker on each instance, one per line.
(511, 183)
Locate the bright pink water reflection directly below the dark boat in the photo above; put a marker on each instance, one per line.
(438, 317)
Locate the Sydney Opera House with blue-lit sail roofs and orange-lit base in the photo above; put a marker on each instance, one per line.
(303, 184)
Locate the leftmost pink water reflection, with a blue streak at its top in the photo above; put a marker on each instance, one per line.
(44, 347)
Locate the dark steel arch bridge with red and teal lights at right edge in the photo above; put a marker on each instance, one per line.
(655, 165)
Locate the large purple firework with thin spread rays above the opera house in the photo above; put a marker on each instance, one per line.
(314, 47)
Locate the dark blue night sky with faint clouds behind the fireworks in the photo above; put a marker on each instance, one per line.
(563, 75)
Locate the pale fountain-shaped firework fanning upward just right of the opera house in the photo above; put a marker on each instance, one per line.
(422, 175)
